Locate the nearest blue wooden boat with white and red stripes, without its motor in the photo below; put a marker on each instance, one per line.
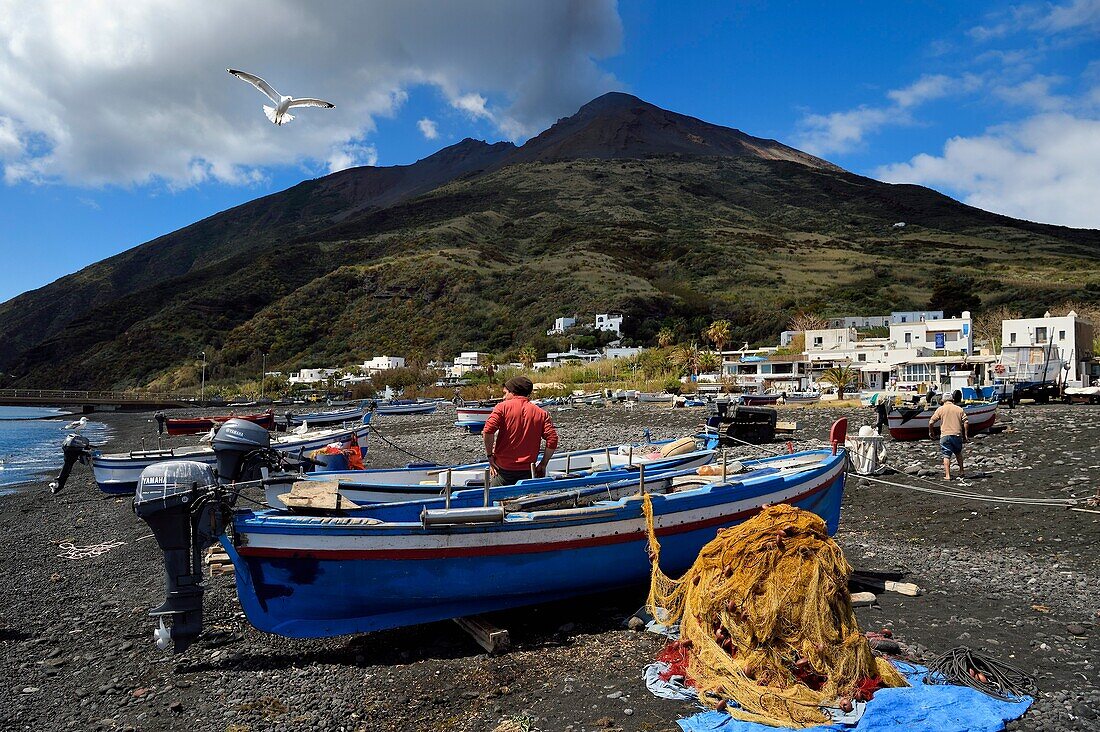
(310, 576)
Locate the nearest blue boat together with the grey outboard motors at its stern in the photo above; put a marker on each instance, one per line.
(333, 572)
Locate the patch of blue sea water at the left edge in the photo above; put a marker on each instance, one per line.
(31, 446)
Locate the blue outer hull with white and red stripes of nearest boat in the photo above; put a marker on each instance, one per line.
(340, 581)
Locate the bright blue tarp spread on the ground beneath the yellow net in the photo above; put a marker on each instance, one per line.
(919, 707)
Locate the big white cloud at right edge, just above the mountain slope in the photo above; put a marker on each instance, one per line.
(1044, 169)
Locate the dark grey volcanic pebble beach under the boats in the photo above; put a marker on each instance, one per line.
(1019, 583)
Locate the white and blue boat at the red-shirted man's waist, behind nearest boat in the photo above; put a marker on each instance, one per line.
(569, 471)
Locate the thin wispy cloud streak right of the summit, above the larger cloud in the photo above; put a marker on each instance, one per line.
(844, 132)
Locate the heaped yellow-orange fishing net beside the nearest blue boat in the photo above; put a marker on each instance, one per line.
(766, 620)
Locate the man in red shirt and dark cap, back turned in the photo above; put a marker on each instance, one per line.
(514, 433)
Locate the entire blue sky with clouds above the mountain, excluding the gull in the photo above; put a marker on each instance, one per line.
(118, 123)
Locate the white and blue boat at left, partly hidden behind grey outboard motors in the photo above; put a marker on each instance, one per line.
(119, 473)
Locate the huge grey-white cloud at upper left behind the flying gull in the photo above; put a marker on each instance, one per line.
(100, 93)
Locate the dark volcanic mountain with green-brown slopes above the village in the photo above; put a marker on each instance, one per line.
(482, 246)
